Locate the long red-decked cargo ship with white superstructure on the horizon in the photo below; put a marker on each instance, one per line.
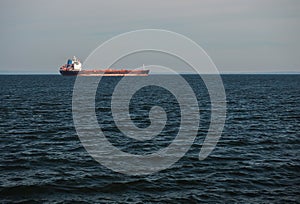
(73, 68)
